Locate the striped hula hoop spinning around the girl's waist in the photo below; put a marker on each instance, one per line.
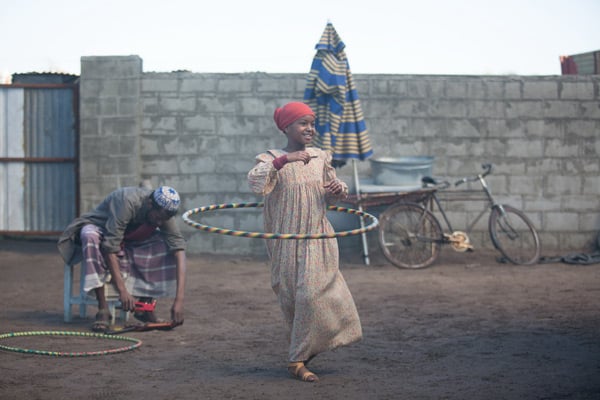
(262, 235)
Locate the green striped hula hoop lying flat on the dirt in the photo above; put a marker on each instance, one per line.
(136, 343)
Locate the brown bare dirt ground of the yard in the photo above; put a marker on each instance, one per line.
(464, 328)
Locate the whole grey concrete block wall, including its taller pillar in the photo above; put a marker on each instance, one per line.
(200, 133)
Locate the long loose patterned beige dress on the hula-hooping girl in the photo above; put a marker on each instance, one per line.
(317, 306)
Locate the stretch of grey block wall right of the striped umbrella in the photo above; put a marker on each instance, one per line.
(542, 134)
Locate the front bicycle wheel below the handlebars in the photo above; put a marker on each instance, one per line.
(514, 235)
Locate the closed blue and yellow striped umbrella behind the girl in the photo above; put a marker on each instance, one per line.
(331, 93)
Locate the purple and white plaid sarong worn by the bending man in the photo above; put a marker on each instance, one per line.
(147, 266)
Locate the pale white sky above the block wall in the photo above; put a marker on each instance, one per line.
(440, 37)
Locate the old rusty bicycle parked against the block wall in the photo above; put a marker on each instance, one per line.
(411, 236)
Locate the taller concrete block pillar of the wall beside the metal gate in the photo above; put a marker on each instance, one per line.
(109, 122)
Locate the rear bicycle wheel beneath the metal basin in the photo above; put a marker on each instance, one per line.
(409, 235)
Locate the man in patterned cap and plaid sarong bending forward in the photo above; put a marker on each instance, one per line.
(132, 234)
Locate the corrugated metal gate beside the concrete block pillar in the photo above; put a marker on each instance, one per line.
(39, 131)
